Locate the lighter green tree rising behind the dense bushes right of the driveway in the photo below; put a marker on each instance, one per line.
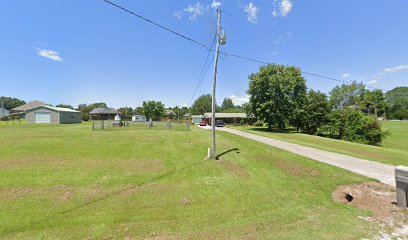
(347, 95)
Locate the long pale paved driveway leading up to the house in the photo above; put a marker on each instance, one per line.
(382, 172)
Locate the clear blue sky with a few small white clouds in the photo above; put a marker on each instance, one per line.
(88, 51)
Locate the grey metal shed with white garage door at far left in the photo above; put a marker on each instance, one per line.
(54, 115)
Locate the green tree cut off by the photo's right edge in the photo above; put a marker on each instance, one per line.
(397, 103)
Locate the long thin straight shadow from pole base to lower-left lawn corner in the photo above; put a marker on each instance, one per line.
(114, 193)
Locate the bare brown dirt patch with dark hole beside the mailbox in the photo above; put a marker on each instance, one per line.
(379, 199)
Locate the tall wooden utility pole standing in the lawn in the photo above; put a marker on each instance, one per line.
(217, 50)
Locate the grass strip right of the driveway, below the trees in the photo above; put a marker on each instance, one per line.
(394, 149)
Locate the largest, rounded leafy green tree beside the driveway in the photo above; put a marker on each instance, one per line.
(277, 94)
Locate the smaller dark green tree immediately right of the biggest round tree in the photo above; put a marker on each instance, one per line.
(316, 111)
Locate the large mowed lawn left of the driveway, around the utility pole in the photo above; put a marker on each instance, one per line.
(67, 182)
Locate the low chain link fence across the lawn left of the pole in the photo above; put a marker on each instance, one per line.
(129, 125)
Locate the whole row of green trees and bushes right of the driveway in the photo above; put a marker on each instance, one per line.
(278, 97)
